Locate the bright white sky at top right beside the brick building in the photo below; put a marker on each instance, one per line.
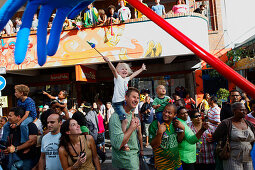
(240, 19)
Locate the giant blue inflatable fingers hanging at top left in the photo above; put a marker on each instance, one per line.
(65, 8)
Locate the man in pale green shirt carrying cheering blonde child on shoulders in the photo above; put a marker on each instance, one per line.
(125, 159)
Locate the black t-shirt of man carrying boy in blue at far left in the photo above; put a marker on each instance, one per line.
(16, 141)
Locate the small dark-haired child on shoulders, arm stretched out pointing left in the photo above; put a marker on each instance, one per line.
(61, 101)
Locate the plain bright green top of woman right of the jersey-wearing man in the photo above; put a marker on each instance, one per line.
(187, 148)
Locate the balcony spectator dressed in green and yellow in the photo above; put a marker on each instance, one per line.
(90, 16)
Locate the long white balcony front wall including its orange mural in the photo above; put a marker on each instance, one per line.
(133, 40)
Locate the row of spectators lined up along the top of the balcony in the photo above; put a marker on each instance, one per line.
(92, 17)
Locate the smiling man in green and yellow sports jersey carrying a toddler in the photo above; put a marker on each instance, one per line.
(164, 140)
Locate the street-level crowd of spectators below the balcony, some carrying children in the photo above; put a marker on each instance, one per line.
(182, 134)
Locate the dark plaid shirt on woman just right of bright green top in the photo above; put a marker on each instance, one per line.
(206, 150)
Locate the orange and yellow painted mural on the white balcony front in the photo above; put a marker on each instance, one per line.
(73, 48)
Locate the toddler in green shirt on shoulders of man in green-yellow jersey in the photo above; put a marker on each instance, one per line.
(160, 102)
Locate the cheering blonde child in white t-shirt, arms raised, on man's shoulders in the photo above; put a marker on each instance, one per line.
(121, 77)
